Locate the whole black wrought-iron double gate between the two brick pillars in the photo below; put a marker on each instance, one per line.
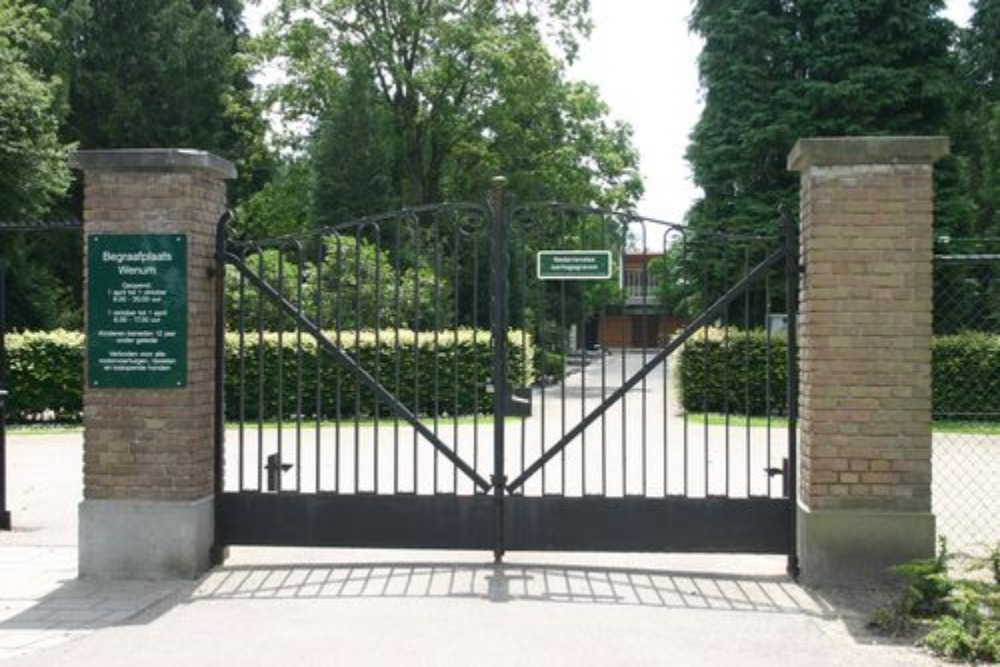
(414, 380)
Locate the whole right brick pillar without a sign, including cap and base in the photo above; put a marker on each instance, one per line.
(867, 212)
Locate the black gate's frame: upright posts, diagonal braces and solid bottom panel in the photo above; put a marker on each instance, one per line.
(498, 517)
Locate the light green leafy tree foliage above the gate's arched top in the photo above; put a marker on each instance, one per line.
(418, 102)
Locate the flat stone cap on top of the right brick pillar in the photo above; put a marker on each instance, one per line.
(845, 151)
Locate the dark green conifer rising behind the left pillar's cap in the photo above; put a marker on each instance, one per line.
(151, 73)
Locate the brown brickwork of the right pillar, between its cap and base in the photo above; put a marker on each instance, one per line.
(865, 330)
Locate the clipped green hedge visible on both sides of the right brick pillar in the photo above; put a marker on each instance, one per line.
(966, 374)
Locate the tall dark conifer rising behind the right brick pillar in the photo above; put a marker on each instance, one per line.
(777, 70)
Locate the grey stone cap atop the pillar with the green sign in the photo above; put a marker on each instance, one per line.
(152, 159)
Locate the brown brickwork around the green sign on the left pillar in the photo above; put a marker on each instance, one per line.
(157, 444)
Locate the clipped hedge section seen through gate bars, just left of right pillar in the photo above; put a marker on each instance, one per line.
(703, 373)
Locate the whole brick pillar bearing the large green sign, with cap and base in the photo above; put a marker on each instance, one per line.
(148, 436)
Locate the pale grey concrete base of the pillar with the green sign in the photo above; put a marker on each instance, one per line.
(141, 539)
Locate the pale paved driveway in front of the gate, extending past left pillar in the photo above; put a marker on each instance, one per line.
(357, 607)
